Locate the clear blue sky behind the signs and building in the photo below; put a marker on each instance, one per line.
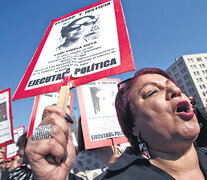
(159, 32)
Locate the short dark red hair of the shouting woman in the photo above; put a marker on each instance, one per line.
(122, 103)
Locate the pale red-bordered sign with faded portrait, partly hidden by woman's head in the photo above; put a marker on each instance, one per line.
(98, 115)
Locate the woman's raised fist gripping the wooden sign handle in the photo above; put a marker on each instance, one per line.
(52, 158)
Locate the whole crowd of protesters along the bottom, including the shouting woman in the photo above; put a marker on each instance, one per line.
(159, 144)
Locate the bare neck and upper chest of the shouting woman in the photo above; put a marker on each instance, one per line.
(180, 165)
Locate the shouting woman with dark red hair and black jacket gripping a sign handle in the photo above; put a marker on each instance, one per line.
(154, 115)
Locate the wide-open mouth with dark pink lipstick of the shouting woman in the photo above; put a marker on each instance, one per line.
(183, 110)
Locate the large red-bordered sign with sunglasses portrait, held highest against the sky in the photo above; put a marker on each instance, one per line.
(90, 43)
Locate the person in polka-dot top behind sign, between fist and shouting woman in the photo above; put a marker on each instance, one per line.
(92, 162)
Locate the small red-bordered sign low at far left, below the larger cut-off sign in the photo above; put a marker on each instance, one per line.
(12, 149)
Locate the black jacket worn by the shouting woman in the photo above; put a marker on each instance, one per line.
(130, 166)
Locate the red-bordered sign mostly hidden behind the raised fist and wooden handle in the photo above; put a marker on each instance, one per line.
(40, 102)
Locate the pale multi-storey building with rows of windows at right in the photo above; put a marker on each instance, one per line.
(190, 73)
